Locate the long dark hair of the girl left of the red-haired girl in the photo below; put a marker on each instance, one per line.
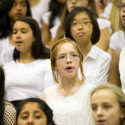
(38, 49)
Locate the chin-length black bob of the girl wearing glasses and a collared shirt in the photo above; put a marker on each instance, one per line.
(68, 21)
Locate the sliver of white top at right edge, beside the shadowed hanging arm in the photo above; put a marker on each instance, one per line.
(122, 69)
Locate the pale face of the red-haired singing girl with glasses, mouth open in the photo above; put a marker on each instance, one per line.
(67, 68)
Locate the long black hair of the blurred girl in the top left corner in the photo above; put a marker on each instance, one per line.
(5, 27)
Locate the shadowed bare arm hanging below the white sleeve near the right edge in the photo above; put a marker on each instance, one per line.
(114, 76)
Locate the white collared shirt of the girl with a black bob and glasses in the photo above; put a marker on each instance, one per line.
(96, 66)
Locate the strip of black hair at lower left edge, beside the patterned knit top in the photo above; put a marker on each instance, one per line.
(2, 108)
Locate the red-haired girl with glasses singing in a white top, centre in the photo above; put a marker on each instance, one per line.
(69, 97)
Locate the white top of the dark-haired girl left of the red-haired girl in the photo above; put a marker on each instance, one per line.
(27, 80)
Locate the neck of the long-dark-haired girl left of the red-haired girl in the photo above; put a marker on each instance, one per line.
(26, 58)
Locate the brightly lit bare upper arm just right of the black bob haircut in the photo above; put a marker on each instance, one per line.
(103, 42)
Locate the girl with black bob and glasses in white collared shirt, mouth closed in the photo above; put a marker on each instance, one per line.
(82, 27)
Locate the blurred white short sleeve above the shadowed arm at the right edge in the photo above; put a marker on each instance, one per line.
(117, 40)
